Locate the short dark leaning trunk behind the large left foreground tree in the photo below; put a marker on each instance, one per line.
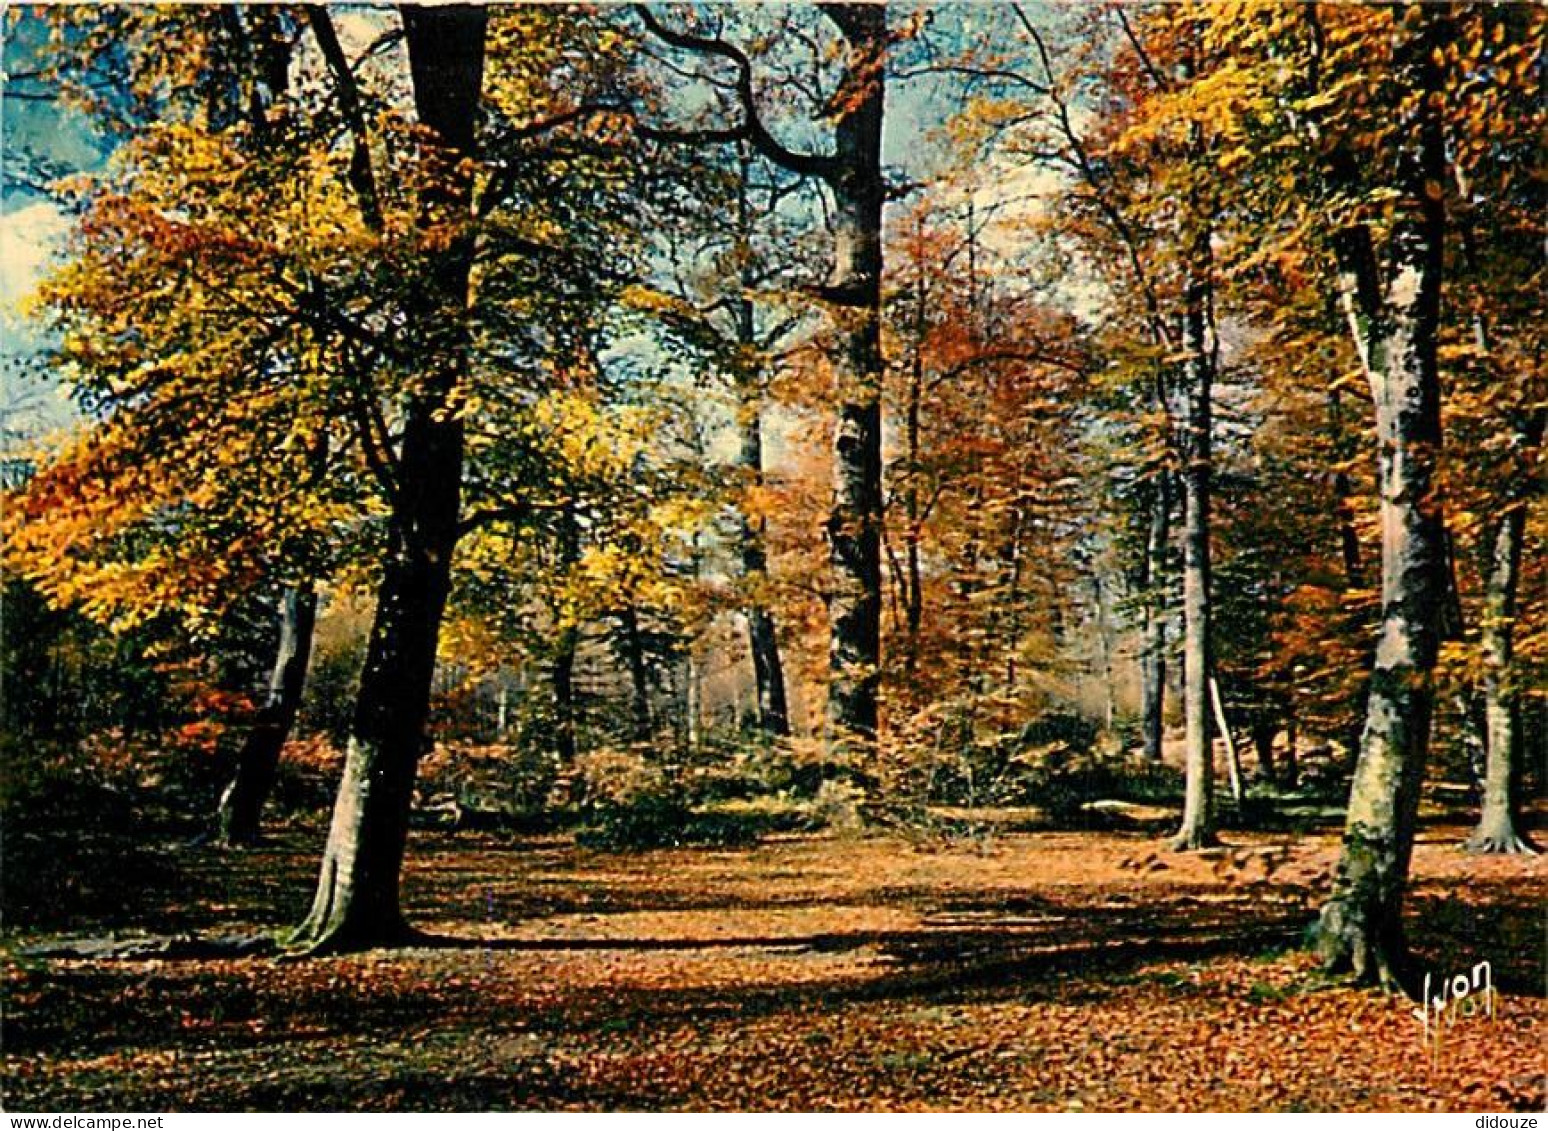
(258, 762)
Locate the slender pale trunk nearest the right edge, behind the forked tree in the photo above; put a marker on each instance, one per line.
(1496, 830)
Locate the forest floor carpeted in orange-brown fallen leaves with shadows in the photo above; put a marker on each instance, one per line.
(1046, 971)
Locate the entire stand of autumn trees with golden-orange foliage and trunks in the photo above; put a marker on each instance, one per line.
(834, 411)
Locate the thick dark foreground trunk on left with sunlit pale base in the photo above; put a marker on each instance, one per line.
(358, 903)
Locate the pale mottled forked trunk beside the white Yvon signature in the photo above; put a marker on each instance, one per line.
(1396, 329)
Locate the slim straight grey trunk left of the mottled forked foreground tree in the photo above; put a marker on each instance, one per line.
(1199, 793)
